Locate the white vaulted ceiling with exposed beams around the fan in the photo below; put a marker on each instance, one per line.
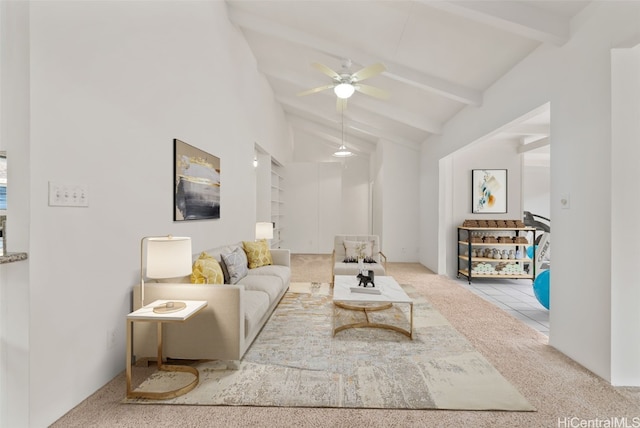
(439, 56)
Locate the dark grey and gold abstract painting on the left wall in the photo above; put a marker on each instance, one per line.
(196, 173)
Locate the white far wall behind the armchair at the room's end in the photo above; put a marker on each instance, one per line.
(379, 194)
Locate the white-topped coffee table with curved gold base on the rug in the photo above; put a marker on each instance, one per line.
(390, 293)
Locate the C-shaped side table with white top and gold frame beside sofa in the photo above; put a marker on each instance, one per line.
(146, 314)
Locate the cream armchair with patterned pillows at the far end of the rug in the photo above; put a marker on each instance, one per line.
(348, 248)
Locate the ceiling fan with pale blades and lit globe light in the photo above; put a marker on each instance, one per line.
(346, 83)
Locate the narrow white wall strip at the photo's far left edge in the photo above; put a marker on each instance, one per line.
(14, 277)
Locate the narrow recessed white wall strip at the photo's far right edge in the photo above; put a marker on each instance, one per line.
(625, 297)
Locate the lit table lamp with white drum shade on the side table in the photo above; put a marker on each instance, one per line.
(166, 257)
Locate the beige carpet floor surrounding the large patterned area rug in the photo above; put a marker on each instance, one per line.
(563, 392)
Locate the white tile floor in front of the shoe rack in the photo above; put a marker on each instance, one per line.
(513, 296)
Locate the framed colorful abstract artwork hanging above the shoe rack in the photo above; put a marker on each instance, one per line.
(489, 191)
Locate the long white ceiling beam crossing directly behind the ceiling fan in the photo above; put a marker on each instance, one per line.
(394, 71)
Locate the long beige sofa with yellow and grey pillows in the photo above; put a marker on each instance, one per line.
(234, 316)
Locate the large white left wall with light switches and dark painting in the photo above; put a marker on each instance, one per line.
(111, 85)
